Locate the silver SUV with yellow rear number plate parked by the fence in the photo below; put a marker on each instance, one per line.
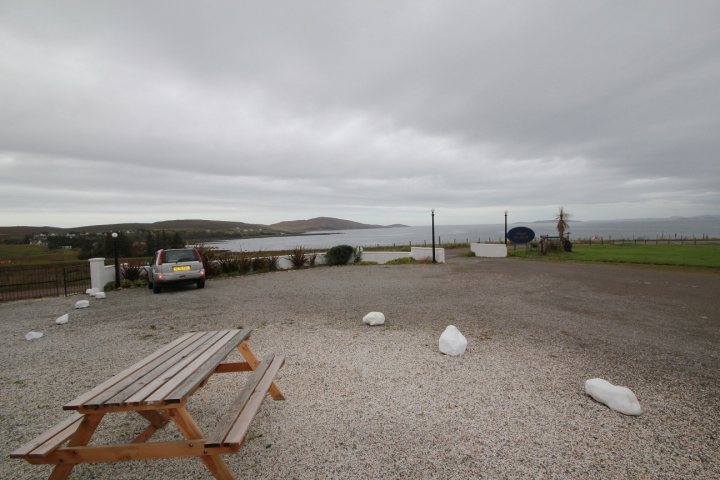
(175, 266)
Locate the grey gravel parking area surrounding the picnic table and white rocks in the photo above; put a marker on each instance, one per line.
(382, 402)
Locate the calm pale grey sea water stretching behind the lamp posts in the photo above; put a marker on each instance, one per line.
(629, 229)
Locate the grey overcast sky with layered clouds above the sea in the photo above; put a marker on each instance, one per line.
(373, 111)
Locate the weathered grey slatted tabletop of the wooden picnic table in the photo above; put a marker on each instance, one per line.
(166, 376)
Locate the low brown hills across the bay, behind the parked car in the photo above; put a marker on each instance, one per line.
(196, 228)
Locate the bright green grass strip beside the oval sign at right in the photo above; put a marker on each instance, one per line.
(681, 255)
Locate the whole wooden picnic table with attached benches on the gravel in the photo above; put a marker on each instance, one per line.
(158, 388)
